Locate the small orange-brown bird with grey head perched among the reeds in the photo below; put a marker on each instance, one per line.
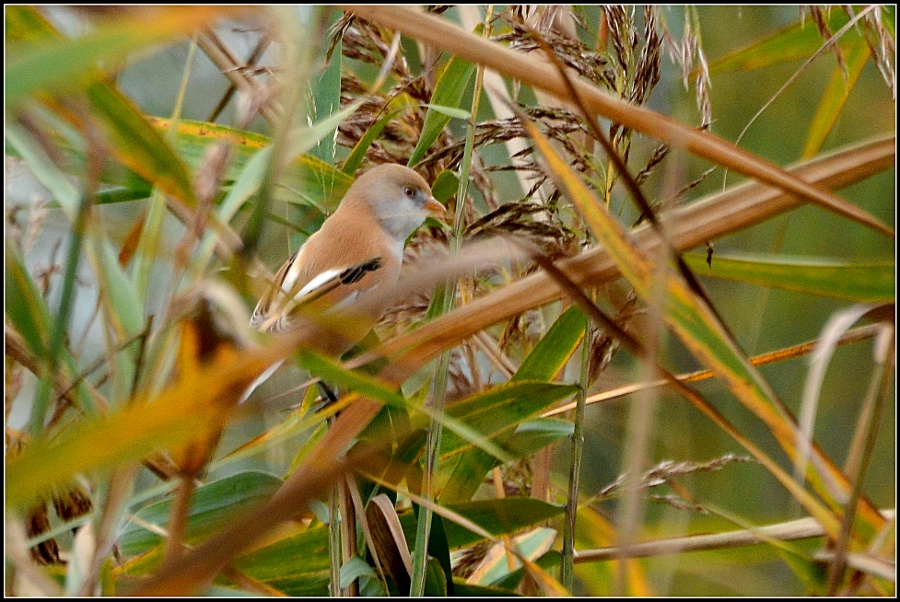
(359, 248)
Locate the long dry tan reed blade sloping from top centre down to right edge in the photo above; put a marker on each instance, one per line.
(445, 36)
